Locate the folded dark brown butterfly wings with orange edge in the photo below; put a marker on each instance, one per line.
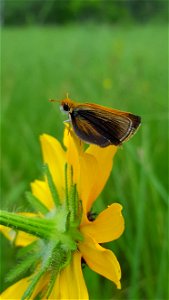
(103, 127)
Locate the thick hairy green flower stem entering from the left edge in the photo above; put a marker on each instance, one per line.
(36, 226)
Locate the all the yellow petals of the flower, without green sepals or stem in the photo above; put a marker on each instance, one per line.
(90, 170)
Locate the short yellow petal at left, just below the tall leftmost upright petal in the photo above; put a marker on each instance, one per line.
(40, 190)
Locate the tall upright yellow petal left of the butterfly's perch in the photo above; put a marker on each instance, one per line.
(54, 156)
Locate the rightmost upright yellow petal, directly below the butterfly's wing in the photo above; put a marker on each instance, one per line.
(104, 157)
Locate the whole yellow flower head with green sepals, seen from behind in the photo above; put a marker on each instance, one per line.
(76, 177)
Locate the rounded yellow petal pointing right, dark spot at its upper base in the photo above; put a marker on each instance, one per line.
(108, 226)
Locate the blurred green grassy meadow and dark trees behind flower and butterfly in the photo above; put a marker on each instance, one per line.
(112, 53)
